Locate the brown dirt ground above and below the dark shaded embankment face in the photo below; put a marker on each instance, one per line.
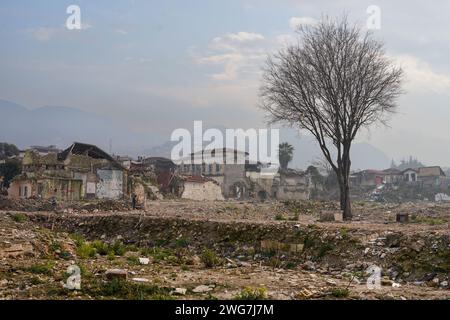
(34, 256)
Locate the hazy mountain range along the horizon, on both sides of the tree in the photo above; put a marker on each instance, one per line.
(60, 126)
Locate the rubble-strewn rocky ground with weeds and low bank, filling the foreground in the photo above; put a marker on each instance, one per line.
(231, 250)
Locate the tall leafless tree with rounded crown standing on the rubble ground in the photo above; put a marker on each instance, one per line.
(333, 82)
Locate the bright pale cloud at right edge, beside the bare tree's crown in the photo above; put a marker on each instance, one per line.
(420, 76)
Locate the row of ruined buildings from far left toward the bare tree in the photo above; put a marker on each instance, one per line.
(84, 171)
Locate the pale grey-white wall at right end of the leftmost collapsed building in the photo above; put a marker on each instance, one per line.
(110, 184)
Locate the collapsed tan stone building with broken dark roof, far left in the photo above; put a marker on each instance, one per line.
(82, 171)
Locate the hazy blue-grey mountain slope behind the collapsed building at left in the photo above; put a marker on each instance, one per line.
(60, 126)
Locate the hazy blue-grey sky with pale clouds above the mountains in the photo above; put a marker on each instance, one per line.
(159, 65)
